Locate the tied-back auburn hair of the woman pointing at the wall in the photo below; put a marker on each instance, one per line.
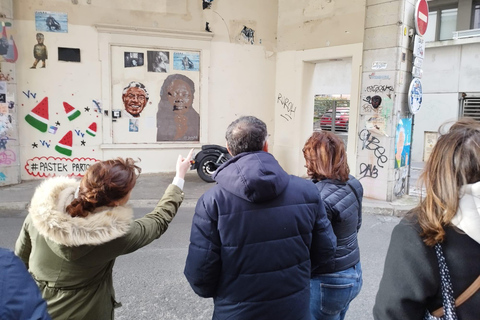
(104, 183)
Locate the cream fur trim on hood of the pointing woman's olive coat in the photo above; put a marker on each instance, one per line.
(47, 211)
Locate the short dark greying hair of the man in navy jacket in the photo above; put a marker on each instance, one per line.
(246, 134)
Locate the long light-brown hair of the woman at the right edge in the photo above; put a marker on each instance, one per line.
(454, 162)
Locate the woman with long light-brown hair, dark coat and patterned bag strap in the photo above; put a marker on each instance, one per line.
(434, 252)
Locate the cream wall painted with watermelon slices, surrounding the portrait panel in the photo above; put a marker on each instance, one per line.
(236, 76)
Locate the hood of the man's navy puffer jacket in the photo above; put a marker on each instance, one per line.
(254, 176)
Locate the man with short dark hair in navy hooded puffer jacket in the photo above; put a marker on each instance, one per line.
(257, 235)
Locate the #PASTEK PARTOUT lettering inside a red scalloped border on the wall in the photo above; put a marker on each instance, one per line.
(54, 166)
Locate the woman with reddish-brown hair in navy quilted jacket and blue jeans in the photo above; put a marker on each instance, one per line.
(332, 289)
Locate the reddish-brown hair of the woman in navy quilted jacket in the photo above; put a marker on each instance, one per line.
(325, 157)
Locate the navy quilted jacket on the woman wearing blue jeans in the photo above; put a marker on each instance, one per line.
(344, 211)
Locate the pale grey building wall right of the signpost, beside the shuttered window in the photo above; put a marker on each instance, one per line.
(450, 68)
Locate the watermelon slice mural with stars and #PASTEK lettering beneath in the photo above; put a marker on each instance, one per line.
(61, 147)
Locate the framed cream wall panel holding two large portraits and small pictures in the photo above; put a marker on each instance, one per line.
(165, 104)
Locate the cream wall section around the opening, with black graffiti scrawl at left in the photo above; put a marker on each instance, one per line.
(329, 30)
